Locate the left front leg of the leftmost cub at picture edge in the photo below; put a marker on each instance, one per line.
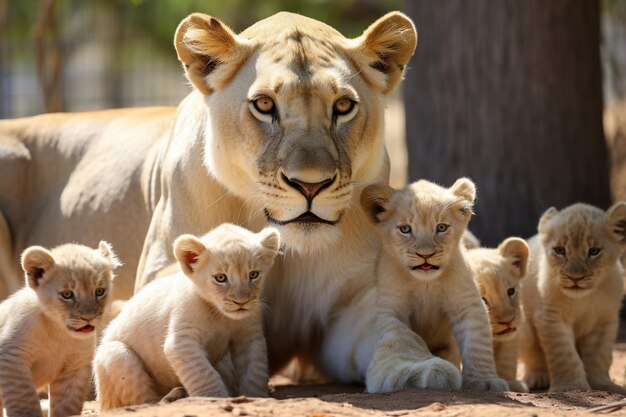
(16, 388)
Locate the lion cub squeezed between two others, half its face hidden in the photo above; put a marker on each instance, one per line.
(497, 273)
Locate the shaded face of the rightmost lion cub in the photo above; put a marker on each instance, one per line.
(582, 244)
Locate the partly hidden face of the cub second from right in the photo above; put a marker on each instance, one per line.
(497, 273)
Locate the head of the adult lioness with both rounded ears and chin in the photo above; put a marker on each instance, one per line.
(299, 123)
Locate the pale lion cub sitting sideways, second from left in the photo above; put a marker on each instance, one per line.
(178, 328)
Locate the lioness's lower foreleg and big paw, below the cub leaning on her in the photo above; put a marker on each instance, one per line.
(402, 360)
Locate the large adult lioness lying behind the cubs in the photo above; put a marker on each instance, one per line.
(284, 126)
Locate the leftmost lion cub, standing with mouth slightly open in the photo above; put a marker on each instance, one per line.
(47, 329)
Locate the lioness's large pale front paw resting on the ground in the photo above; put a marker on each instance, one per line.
(433, 373)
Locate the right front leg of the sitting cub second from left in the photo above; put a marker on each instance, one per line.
(249, 355)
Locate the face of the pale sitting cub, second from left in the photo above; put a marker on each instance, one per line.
(228, 266)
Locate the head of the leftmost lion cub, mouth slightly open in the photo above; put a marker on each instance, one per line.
(72, 282)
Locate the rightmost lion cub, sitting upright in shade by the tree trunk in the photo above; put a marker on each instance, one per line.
(571, 298)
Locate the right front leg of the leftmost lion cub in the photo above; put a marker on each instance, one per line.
(67, 393)
